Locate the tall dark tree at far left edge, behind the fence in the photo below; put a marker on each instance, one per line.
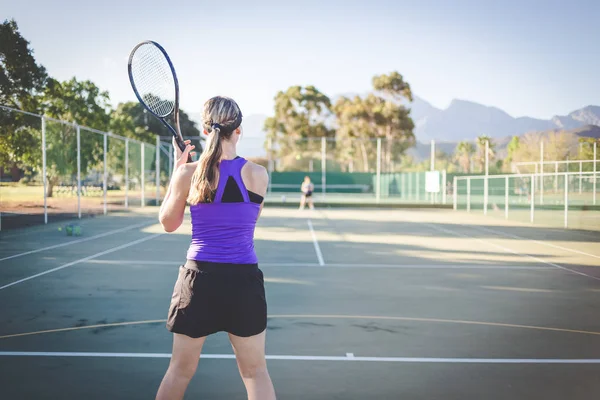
(21, 80)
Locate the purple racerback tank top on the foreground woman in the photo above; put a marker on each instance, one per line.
(224, 232)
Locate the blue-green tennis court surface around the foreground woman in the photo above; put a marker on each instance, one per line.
(363, 304)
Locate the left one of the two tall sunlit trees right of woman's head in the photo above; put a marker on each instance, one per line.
(301, 114)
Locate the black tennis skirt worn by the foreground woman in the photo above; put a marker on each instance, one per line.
(215, 297)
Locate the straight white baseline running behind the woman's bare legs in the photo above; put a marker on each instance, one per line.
(349, 357)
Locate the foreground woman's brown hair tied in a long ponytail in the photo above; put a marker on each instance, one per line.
(220, 118)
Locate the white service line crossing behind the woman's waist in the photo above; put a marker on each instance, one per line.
(309, 265)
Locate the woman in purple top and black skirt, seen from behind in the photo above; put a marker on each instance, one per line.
(220, 287)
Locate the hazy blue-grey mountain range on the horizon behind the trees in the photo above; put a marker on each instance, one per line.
(461, 120)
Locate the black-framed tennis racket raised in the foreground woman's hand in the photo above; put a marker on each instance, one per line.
(154, 83)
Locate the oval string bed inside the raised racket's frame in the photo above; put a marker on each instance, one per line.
(153, 79)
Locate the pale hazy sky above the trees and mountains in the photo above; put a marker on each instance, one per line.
(530, 57)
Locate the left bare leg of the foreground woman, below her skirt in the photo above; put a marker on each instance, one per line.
(186, 354)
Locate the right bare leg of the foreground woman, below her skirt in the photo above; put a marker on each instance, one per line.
(250, 356)
